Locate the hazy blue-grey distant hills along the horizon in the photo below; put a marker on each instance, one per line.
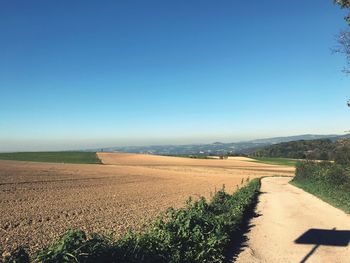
(218, 148)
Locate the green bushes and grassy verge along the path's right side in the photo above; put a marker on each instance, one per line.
(329, 181)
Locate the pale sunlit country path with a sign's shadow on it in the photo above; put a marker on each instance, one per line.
(286, 213)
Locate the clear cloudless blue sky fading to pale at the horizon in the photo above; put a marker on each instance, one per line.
(80, 74)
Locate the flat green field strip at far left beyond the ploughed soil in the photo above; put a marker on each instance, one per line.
(54, 157)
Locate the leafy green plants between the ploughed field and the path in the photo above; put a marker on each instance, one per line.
(200, 232)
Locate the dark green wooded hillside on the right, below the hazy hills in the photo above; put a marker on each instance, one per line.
(322, 149)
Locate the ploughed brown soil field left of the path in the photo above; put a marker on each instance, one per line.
(40, 201)
